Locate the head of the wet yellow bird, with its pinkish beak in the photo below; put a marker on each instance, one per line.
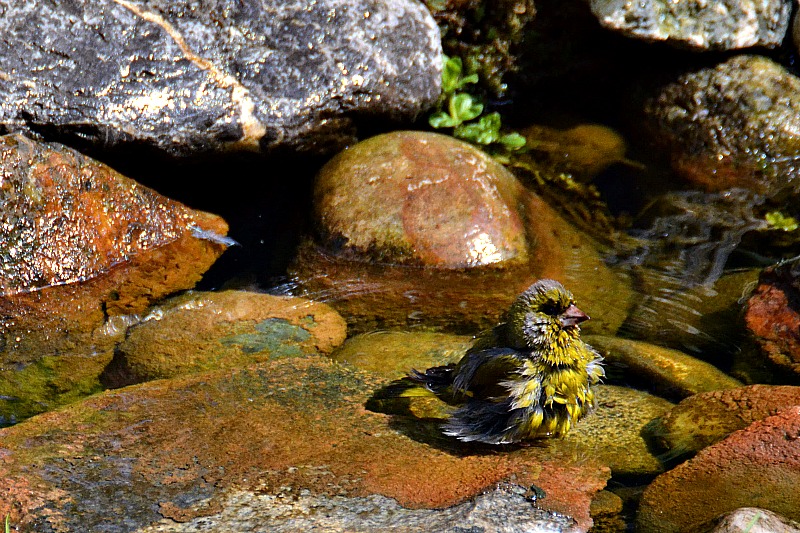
(543, 315)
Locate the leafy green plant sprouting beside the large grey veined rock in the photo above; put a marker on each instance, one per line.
(463, 108)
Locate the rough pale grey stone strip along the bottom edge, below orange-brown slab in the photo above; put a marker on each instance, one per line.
(502, 510)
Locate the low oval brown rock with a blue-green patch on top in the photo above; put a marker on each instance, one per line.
(212, 330)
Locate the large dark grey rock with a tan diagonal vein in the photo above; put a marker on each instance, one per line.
(184, 78)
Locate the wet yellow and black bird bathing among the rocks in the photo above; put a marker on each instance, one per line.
(530, 377)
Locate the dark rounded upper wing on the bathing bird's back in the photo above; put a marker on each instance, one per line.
(481, 372)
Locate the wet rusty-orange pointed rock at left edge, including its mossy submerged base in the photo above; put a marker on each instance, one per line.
(83, 250)
